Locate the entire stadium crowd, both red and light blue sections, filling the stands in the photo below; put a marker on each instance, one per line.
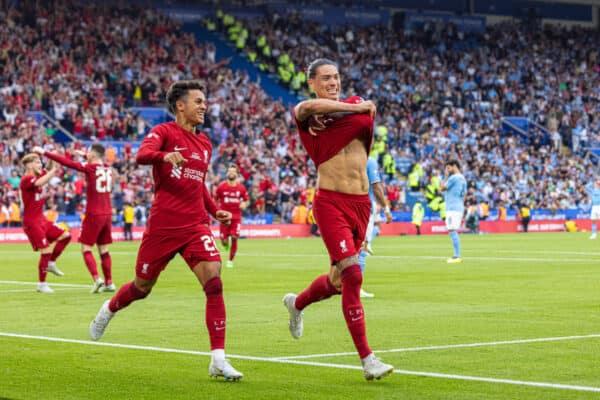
(438, 91)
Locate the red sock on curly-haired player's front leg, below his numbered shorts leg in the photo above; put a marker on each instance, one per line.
(215, 313)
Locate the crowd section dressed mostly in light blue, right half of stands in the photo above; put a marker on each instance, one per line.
(440, 91)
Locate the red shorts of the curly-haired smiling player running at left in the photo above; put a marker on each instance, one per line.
(159, 247)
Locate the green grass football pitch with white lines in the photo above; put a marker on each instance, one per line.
(518, 319)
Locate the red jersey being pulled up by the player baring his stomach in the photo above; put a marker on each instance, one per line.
(337, 135)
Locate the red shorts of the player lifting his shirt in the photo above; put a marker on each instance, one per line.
(342, 219)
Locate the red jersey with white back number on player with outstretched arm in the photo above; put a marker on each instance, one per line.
(99, 184)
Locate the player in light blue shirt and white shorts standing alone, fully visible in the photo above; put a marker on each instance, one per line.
(455, 187)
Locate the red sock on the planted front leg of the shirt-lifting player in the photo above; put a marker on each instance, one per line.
(353, 310)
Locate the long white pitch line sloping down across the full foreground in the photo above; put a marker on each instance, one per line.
(313, 364)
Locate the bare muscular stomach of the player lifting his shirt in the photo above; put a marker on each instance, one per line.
(346, 172)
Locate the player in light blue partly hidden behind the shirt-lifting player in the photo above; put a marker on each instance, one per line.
(378, 202)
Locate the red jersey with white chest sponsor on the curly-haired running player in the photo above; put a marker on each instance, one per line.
(181, 199)
